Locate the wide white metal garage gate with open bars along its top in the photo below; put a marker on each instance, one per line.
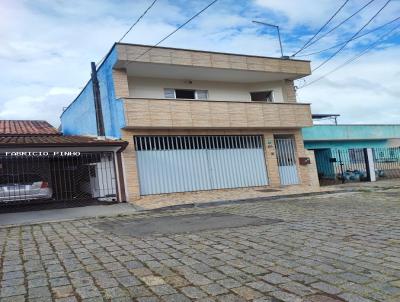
(169, 164)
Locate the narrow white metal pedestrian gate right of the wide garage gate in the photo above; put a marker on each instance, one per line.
(286, 156)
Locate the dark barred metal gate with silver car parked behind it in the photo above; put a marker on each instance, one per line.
(56, 176)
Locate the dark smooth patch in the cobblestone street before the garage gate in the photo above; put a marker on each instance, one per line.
(181, 224)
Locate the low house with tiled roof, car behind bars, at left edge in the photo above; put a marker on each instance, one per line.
(38, 162)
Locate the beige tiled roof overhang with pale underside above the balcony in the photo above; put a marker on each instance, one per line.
(160, 62)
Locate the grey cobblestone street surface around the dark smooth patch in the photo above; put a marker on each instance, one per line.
(332, 247)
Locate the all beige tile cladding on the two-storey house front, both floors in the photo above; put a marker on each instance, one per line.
(153, 116)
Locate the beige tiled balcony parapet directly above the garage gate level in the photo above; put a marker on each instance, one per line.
(195, 114)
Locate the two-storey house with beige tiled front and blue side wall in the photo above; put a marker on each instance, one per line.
(198, 120)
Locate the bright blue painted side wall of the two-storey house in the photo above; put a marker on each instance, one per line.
(80, 117)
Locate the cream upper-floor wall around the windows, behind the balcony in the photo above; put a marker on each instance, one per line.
(217, 91)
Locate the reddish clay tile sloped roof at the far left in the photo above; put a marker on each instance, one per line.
(26, 127)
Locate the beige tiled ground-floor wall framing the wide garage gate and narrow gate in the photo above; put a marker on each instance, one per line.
(307, 174)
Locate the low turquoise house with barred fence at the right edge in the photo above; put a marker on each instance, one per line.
(334, 145)
